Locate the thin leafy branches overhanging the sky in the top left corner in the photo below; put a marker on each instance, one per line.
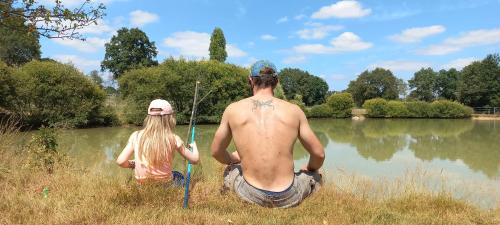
(52, 20)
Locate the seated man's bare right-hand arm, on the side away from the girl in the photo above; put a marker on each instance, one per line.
(311, 144)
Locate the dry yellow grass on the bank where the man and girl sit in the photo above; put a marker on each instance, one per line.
(84, 196)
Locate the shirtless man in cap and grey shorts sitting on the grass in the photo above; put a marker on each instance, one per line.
(265, 129)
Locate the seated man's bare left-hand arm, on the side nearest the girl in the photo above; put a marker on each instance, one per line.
(221, 140)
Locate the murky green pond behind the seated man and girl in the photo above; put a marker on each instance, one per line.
(464, 153)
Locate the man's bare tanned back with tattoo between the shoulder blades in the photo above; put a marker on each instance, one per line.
(264, 132)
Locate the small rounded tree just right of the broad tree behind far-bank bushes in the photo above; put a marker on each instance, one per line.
(423, 84)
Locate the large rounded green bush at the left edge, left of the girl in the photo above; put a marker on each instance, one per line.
(51, 93)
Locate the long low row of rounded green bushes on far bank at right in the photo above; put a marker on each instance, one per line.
(416, 109)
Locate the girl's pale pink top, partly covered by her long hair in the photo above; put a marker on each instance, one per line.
(143, 172)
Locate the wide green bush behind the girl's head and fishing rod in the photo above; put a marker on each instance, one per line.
(174, 80)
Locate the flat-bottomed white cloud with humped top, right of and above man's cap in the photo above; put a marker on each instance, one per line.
(346, 42)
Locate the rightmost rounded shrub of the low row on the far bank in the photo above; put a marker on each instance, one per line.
(449, 109)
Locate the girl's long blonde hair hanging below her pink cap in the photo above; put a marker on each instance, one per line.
(158, 140)
